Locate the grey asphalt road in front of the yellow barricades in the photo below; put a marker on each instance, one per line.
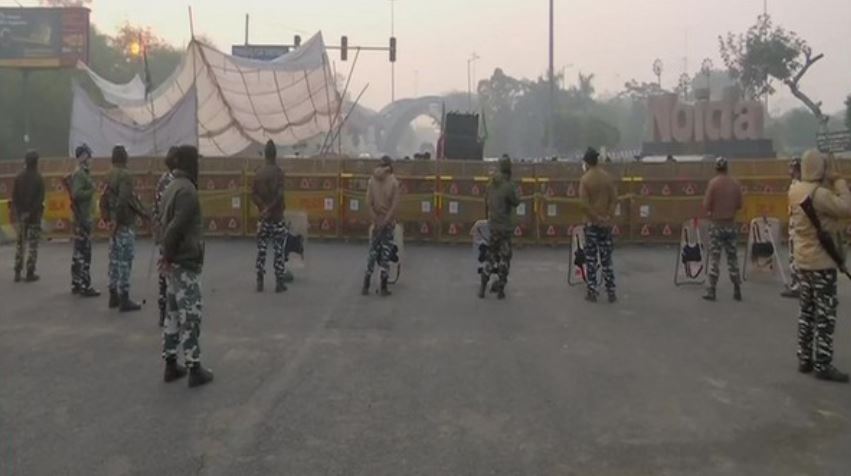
(432, 381)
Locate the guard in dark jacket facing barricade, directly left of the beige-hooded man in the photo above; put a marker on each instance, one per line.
(268, 196)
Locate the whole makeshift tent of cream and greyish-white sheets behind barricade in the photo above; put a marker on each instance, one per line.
(232, 103)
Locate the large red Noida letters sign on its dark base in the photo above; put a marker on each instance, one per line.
(728, 128)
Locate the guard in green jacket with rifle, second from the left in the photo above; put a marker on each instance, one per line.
(82, 195)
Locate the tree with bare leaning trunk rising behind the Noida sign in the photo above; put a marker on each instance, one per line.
(767, 52)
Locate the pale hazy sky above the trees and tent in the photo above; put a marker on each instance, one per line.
(614, 39)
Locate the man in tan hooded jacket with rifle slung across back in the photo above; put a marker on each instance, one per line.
(823, 188)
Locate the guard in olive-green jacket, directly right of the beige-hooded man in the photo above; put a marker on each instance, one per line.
(501, 200)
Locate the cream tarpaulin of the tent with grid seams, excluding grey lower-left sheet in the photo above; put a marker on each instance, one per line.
(240, 102)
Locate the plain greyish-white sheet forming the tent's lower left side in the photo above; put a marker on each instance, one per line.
(102, 129)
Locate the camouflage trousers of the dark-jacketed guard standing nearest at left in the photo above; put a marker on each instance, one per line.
(182, 327)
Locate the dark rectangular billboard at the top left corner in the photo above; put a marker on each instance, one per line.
(43, 37)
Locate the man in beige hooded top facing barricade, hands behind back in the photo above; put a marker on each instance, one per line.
(382, 200)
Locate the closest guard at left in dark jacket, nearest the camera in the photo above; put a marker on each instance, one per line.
(182, 250)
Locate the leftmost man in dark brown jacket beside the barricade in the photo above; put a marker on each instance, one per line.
(27, 208)
